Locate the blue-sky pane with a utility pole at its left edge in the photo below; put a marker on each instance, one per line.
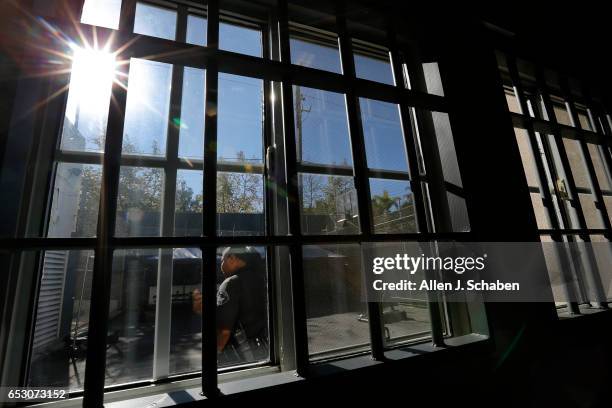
(321, 127)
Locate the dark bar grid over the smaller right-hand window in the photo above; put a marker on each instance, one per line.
(536, 129)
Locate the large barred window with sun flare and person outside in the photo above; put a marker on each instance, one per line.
(193, 181)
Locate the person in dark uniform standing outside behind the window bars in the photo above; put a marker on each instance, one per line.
(242, 313)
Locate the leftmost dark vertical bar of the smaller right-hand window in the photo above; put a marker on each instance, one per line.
(548, 199)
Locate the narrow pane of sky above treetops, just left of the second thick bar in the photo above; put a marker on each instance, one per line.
(188, 209)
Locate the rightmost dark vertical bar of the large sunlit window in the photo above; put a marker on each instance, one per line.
(411, 142)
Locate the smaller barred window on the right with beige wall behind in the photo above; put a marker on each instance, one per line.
(565, 152)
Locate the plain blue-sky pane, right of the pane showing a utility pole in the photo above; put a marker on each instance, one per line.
(384, 140)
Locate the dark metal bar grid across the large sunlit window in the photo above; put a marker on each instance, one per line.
(215, 61)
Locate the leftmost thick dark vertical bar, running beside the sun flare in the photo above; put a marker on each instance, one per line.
(95, 368)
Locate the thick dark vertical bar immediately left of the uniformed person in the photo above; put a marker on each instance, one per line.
(209, 211)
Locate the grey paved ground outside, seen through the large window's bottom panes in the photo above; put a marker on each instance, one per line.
(130, 358)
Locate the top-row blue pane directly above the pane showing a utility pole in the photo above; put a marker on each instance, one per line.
(315, 52)
